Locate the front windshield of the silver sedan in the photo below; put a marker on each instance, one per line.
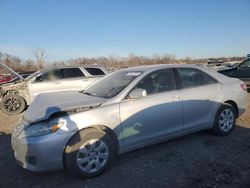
(113, 84)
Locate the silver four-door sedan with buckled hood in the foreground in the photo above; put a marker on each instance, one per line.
(129, 109)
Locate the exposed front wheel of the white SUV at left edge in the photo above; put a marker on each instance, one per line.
(13, 104)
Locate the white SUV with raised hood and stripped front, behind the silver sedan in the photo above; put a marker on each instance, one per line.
(16, 96)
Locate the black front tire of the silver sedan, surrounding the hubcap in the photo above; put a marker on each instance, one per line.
(79, 139)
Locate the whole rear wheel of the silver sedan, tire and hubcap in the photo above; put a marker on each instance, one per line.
(225, 120)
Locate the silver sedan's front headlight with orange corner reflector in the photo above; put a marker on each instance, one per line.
(43, 128)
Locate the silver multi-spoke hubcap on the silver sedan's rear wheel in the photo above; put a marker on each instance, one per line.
(226, 120)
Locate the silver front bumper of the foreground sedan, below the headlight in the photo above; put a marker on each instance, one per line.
(38, 153)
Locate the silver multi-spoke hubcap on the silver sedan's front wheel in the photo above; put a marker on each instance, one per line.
(92, 155)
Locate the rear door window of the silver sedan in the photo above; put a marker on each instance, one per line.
(191, 77)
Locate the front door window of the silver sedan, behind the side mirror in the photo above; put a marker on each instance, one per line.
(157, 82)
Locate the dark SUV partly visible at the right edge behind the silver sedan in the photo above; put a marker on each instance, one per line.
(241, 71)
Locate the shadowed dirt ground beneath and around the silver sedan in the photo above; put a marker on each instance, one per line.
(197, 160)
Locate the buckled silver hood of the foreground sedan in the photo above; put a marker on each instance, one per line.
(45, 105)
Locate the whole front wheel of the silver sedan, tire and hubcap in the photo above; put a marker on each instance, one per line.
(89, 153)
